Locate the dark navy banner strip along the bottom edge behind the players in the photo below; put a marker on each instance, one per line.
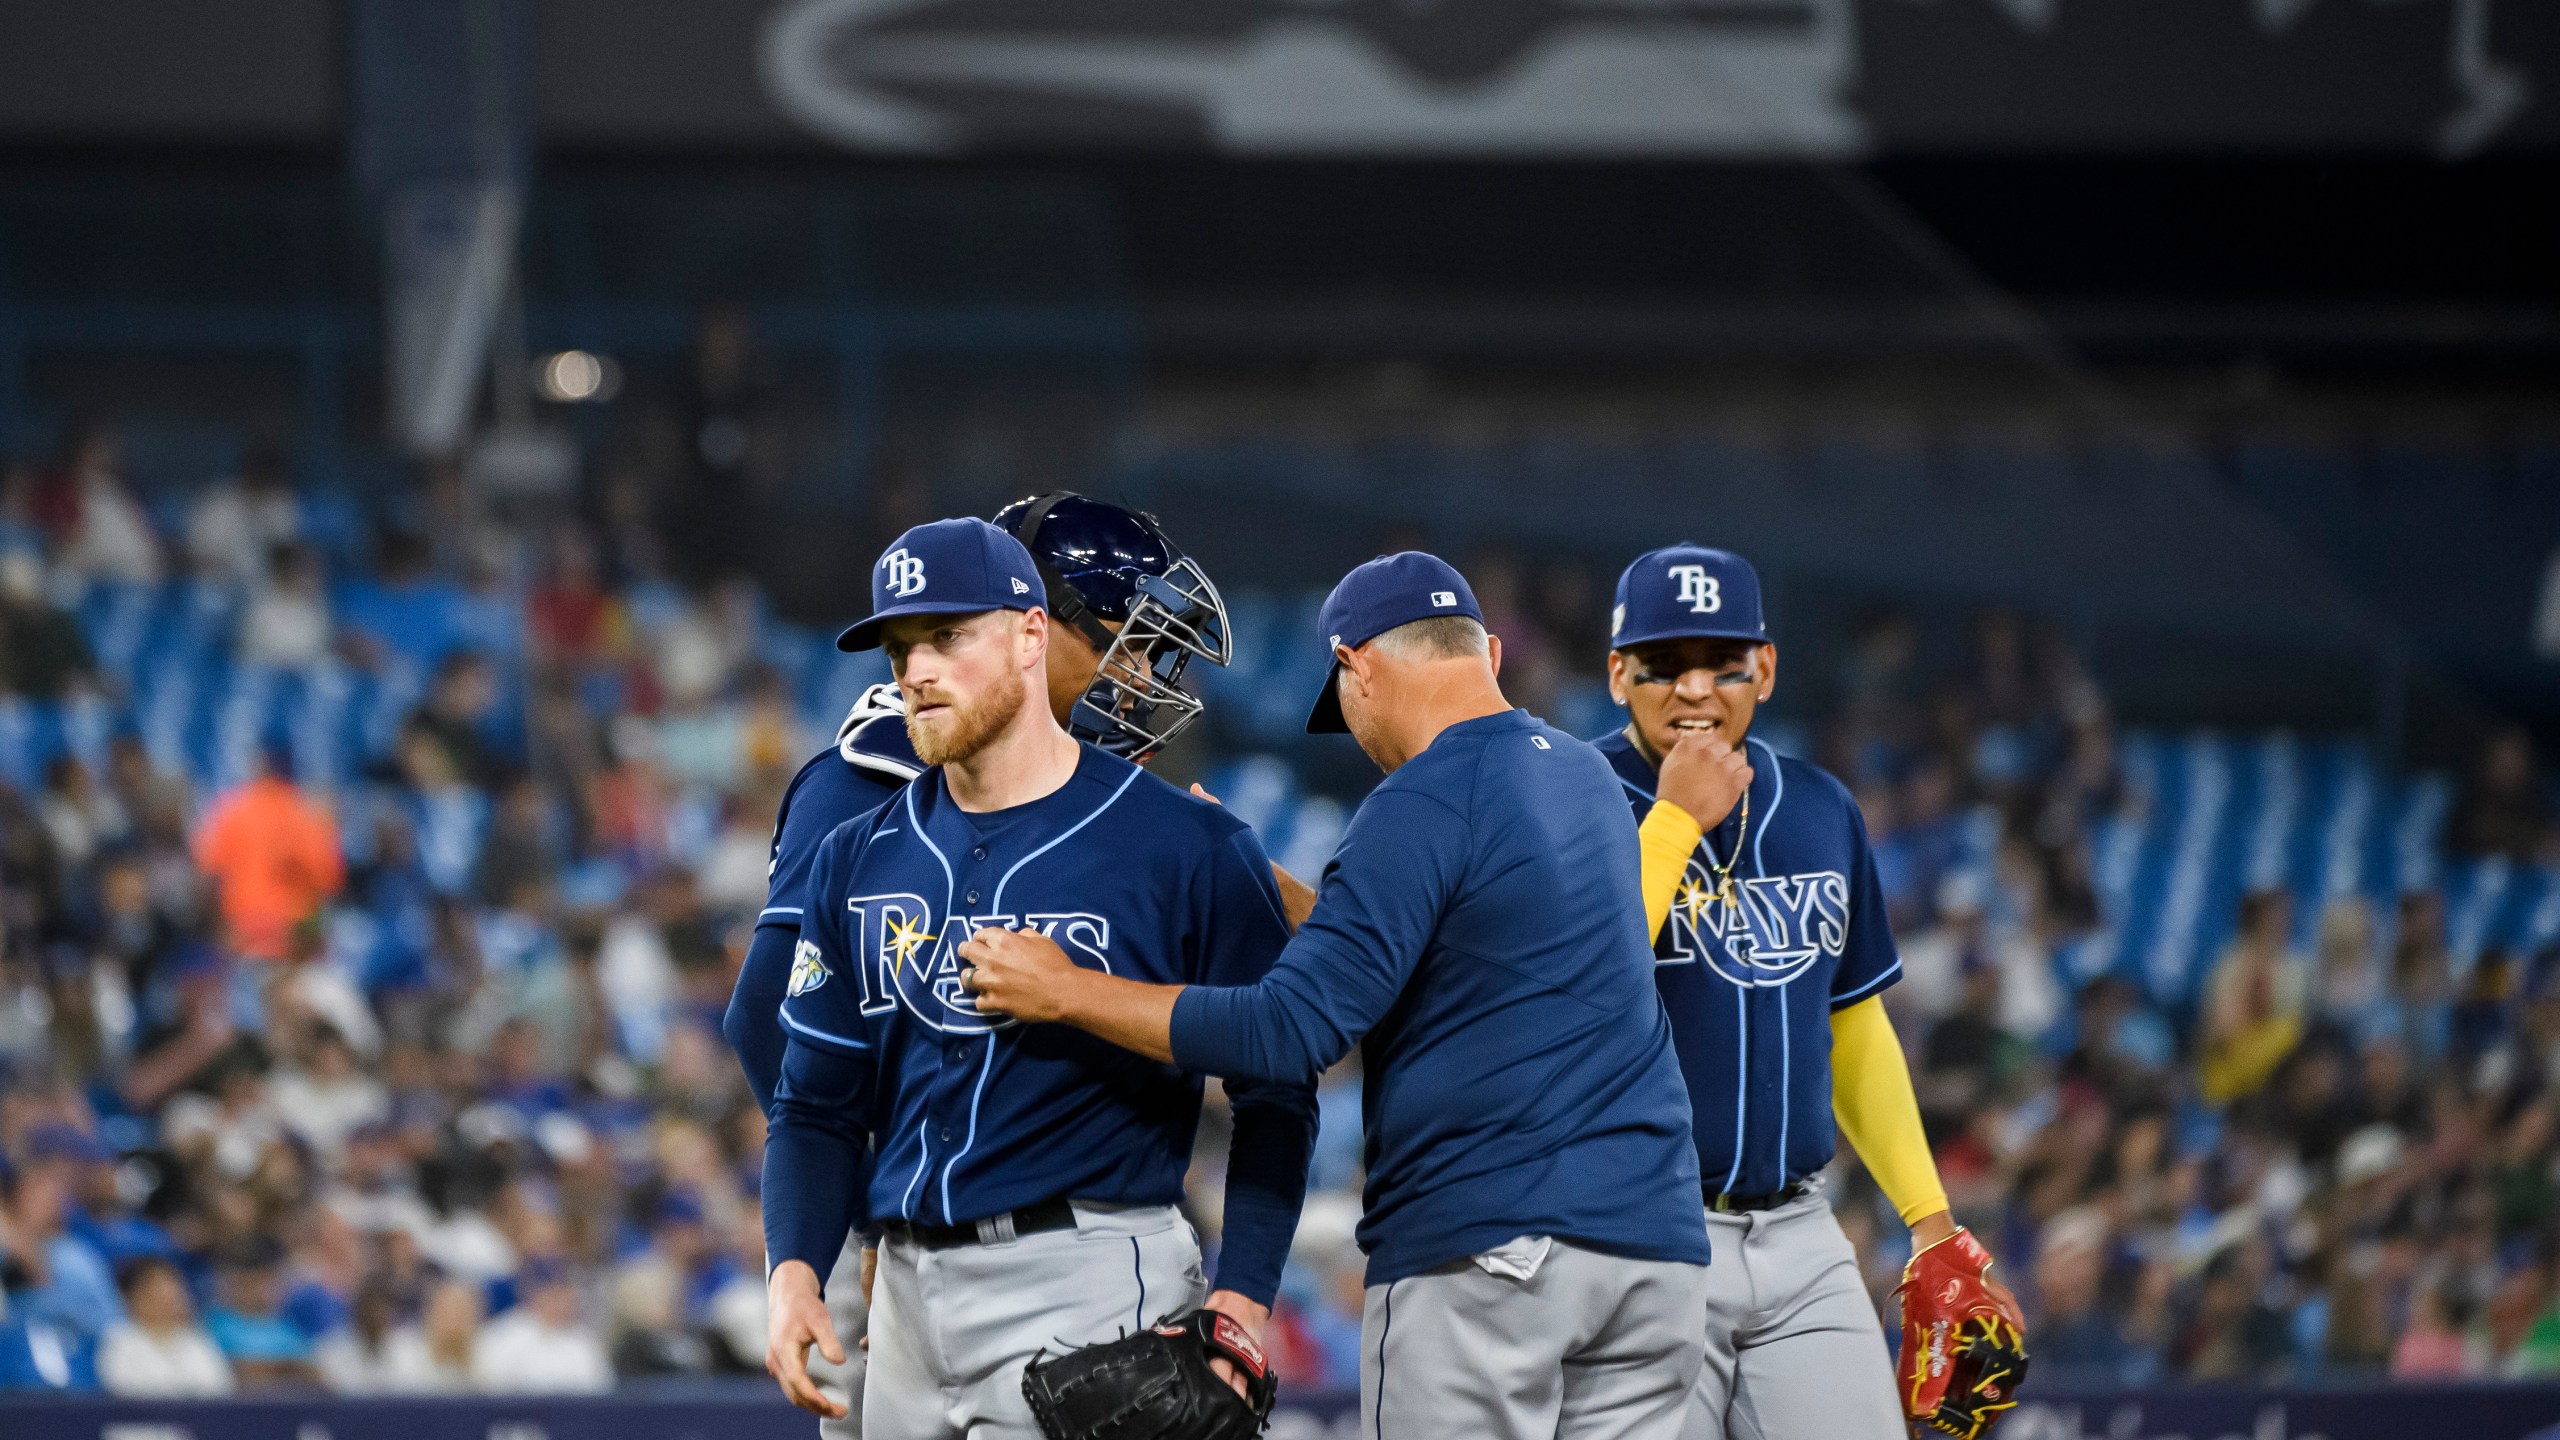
(2205, 1413)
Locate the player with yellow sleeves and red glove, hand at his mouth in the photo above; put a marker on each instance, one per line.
(1773, 952)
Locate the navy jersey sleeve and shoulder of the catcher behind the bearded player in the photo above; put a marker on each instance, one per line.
(851, 778)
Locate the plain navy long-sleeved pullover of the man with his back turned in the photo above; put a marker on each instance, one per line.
(1481, 939)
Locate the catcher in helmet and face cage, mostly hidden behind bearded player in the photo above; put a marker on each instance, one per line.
(1130, 614)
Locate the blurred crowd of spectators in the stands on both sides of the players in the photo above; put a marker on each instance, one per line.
(408, 1080)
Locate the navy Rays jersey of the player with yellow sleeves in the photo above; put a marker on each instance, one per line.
(1752, 985)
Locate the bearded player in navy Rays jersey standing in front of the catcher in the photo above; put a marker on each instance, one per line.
(1025, 1182)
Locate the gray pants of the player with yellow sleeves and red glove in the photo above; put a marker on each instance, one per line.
(1796, 1349)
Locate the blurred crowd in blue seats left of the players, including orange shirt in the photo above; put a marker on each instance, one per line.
(406, 1080)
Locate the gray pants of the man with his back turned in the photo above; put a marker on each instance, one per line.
(1532, 1341)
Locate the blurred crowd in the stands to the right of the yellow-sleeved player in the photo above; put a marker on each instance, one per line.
(2331, 1157)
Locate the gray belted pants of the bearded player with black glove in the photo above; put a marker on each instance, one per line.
(954, 1329)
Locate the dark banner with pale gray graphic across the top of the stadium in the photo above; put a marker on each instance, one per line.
(1368, 78)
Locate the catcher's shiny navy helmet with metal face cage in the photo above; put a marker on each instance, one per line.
(1105, 562)
